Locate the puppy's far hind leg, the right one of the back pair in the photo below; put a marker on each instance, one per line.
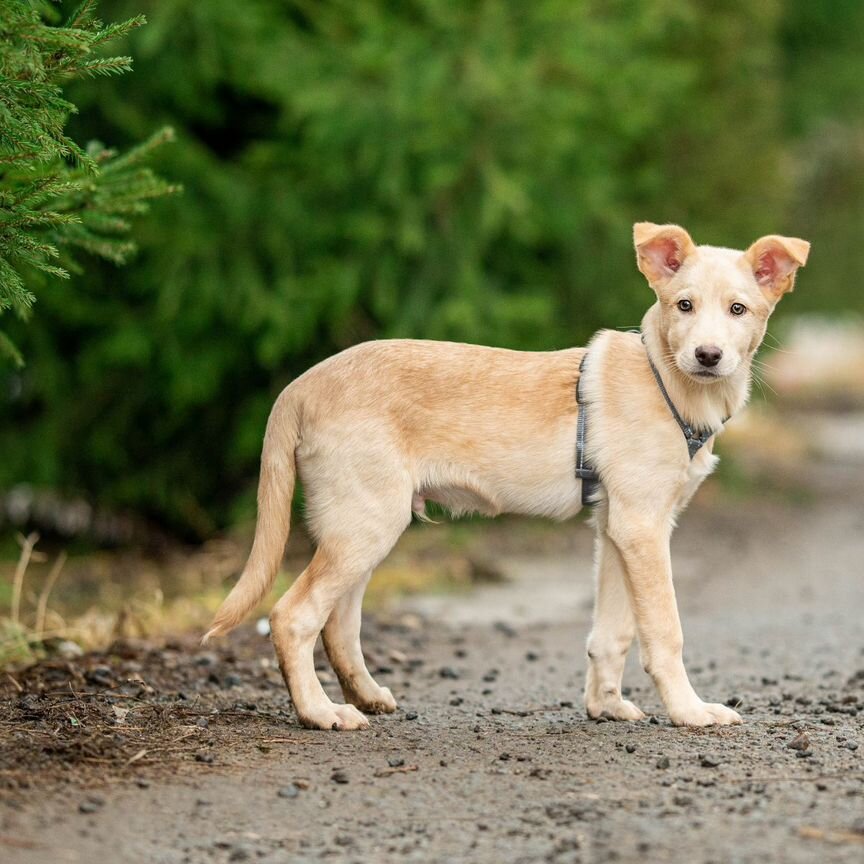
(342, 643)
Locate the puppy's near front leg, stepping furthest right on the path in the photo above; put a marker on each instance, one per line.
(644, 546)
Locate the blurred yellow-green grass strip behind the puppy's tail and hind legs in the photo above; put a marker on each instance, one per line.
(93, 598)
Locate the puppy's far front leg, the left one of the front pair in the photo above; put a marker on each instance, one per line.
(611, 636)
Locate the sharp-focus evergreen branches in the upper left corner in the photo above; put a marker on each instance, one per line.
(56, 196)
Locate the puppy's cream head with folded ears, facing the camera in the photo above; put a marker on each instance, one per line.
(714, 303)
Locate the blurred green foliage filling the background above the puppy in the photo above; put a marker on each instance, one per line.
(451, 169)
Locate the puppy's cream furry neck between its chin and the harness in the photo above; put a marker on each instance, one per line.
(704, 406)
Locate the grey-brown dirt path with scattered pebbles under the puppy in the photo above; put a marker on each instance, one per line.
(490, 758)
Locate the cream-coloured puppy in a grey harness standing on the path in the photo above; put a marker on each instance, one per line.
(383, 427)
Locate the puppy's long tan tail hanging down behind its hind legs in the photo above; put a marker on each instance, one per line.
(275, 493)
